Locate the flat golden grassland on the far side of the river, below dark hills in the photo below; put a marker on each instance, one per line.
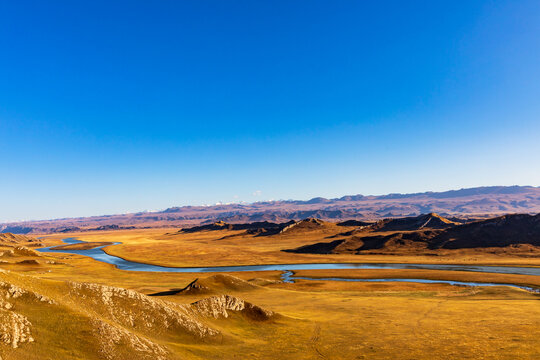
(218, 248)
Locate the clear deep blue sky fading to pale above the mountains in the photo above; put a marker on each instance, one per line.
(111, 106)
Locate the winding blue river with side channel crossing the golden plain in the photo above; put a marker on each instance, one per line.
(99, 254)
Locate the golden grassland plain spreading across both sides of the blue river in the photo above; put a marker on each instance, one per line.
(319, 319)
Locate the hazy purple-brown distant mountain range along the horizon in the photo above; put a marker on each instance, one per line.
(479, 203)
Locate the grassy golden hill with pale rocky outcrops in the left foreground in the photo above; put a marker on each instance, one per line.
(43, 319)
